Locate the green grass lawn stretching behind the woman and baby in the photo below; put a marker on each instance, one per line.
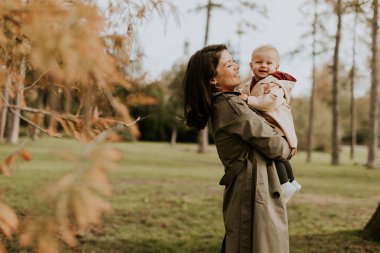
(167, 199)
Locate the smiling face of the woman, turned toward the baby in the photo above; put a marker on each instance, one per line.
(228, 76)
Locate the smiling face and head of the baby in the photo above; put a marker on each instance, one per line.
(263, 63)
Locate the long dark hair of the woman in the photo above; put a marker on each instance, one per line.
(197, 88)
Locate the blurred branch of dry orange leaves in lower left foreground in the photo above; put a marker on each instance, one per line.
(75, 203)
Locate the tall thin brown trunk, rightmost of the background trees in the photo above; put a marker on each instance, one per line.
(373, 121)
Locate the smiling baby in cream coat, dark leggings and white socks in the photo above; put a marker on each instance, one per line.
(269, 93)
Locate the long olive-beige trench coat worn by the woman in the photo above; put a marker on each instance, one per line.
(254, 210)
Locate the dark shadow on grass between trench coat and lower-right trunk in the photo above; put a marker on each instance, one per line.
(348, 241)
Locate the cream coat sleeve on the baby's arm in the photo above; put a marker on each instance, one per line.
(267, 102)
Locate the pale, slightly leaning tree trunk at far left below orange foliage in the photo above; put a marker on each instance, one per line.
(19, 96)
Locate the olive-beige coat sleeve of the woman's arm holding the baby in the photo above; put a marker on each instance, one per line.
(256, 132)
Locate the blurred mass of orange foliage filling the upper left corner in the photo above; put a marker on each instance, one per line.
(60, 40)
